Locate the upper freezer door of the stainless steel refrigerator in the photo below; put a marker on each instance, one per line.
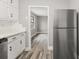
(65, 18)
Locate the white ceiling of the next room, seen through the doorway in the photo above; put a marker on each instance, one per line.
(40, 11)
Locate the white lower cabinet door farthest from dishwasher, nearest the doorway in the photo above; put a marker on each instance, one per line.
(19, 46)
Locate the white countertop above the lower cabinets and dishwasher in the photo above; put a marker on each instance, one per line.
(11, 30)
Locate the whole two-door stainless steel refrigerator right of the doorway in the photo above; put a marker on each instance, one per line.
(65, 34)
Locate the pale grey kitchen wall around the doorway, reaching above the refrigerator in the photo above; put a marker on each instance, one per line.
(53, 4)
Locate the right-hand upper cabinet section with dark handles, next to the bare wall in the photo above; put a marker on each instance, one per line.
(13, 9)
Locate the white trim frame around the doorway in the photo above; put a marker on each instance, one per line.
(29, 32)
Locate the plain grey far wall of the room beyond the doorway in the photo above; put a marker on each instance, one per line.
(42, 24)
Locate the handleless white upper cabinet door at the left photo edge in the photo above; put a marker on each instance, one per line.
(4, 11)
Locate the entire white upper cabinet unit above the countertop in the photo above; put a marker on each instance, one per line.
(9, 10)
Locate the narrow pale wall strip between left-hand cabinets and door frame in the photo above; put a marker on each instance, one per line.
(23, 12)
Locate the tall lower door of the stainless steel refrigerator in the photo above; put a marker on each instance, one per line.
(65, 44)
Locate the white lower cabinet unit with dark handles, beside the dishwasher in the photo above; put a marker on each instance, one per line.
(16, 47)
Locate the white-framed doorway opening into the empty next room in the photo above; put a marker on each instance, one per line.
(39, 25)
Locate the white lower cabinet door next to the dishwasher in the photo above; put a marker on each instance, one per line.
(13, 49)
